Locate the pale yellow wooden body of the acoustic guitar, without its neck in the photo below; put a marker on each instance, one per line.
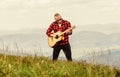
(53, 41)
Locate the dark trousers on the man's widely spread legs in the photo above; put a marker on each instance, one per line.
(66, 49)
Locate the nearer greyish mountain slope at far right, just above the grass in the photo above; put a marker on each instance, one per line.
(112, 58)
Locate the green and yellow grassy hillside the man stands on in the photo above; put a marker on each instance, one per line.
(16, 66)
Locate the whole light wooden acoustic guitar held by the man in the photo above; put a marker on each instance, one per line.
(52, 41)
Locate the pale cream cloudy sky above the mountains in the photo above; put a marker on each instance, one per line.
(20, 14)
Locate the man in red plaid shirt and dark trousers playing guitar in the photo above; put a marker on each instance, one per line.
(60, 25)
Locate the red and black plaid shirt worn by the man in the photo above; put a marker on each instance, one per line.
(55, 27)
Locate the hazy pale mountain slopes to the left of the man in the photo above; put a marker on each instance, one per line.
(28, 40)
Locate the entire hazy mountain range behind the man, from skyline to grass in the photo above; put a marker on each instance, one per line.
(83, 43)
